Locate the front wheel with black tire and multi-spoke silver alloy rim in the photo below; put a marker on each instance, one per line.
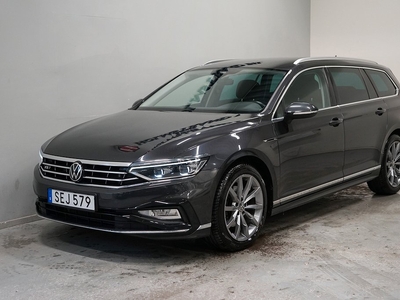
(239, 209)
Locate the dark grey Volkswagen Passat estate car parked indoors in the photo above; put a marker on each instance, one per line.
(221, 147)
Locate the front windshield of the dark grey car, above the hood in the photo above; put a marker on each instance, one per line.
(228, 90)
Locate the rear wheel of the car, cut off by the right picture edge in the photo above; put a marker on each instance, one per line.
(388, 181)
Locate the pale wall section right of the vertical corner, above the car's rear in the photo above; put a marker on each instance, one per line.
(357, 28)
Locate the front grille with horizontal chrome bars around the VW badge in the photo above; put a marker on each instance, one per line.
(95, 174)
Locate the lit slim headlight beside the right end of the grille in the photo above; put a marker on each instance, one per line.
(168, 169)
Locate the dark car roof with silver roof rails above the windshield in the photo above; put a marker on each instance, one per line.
(288, 63)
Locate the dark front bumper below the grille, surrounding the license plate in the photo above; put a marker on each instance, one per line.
(117, 209)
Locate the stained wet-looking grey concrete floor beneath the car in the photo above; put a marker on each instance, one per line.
(346, 246)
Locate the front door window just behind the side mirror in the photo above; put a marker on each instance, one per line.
(311, 87)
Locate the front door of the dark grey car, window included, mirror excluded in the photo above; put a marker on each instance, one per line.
(312, 149)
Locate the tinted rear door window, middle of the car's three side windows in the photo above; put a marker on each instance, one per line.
(349, 85)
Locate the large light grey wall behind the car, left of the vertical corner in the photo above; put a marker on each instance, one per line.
(64, 62)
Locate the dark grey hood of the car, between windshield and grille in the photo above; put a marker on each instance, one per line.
(128, 135)
